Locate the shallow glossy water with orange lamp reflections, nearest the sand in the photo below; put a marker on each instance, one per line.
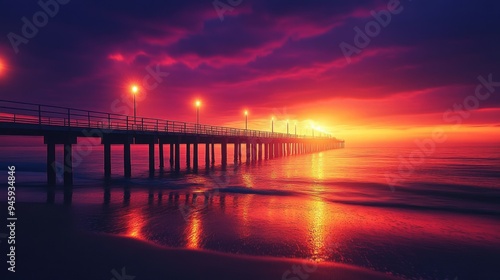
(288, 226)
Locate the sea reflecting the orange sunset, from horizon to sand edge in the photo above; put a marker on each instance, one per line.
(441, 221)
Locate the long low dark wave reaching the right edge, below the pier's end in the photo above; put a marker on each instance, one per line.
(463, 199)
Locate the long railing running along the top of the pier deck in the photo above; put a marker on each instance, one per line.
(46, 115)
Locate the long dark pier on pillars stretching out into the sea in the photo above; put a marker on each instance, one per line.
(64, 126)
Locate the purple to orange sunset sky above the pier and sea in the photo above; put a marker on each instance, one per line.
(364, 71)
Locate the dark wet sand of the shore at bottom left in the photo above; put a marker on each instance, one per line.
(47, 248)
